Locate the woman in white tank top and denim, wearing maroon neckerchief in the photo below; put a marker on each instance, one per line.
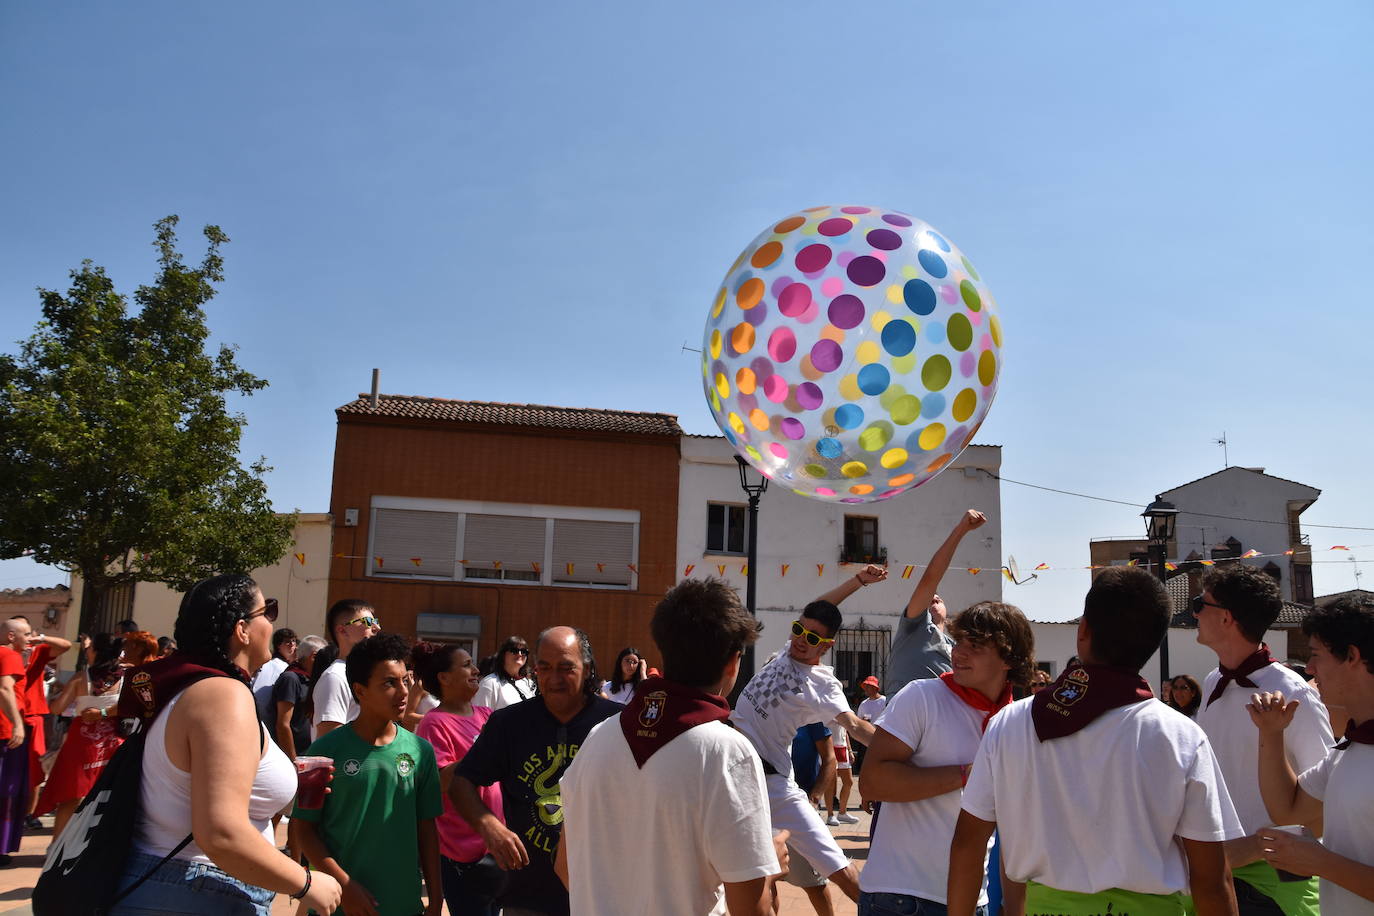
(211, 772)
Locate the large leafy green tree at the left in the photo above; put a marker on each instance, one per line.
(119, 458)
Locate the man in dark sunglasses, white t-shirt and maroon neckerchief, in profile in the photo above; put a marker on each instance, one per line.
(1237, 605)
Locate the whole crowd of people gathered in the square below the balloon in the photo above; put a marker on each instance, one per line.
(526, 783)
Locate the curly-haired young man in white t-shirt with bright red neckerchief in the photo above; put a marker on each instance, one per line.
(923, 751)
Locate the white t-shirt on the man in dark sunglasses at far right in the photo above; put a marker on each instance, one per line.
(1236, 740)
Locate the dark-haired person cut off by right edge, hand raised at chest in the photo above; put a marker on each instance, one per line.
(1339, 792)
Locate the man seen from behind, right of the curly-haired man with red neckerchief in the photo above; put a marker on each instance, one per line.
(1108, 801)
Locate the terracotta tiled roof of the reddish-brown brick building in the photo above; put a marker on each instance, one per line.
(537, 415)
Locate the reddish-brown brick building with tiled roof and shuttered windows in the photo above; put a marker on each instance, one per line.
(471, 521)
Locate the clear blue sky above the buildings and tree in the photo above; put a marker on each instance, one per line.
(537, 204)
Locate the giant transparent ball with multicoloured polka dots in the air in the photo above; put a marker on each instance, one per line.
(851, 354)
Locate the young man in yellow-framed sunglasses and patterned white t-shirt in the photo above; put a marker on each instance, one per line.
(791, 691)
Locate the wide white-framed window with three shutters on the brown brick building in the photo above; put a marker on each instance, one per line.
(563, 546)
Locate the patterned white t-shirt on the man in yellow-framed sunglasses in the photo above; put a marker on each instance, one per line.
(780, 700)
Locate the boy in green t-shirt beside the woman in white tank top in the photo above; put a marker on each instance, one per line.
(379, 819)
